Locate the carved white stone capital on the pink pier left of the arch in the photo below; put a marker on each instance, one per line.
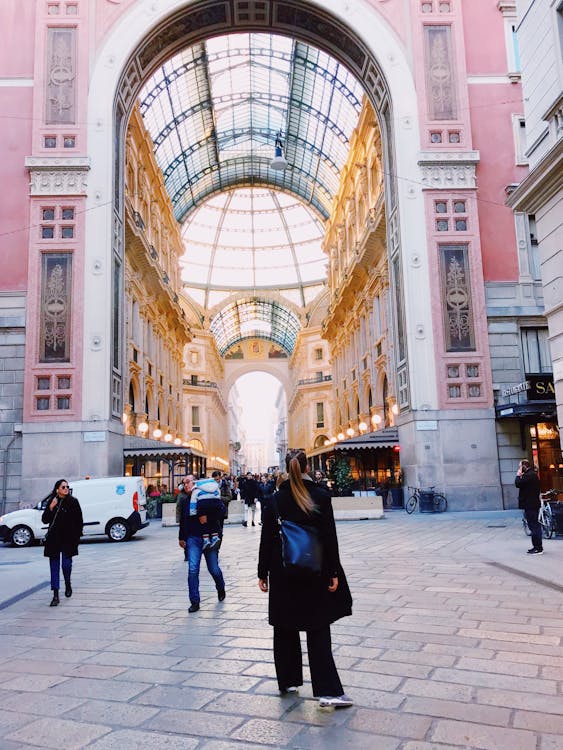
(58, 175)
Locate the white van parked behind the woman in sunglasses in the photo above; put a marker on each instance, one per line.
(111, 505)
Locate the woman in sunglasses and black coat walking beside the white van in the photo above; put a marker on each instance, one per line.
(64, 516)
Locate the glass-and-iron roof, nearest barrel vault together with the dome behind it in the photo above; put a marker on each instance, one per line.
(214, 112)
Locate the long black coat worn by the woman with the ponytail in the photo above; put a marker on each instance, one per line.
(297, 604)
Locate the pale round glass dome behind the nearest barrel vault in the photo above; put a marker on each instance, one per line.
(253, 239)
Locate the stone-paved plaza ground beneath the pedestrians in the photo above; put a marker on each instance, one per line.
(455, 642)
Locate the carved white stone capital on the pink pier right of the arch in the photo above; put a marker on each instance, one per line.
(455, 169)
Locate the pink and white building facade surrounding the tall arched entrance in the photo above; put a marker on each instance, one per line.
(442, 77)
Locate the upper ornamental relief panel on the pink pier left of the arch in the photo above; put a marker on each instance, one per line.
(60, 105)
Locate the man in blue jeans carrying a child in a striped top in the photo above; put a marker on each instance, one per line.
(190, 538)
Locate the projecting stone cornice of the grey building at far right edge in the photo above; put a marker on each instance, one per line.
(543, 182)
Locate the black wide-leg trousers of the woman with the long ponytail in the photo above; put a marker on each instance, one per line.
(289, 660)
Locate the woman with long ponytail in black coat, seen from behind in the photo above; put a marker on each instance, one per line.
(310, 604)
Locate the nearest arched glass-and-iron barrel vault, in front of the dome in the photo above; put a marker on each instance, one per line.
(214, 110)
